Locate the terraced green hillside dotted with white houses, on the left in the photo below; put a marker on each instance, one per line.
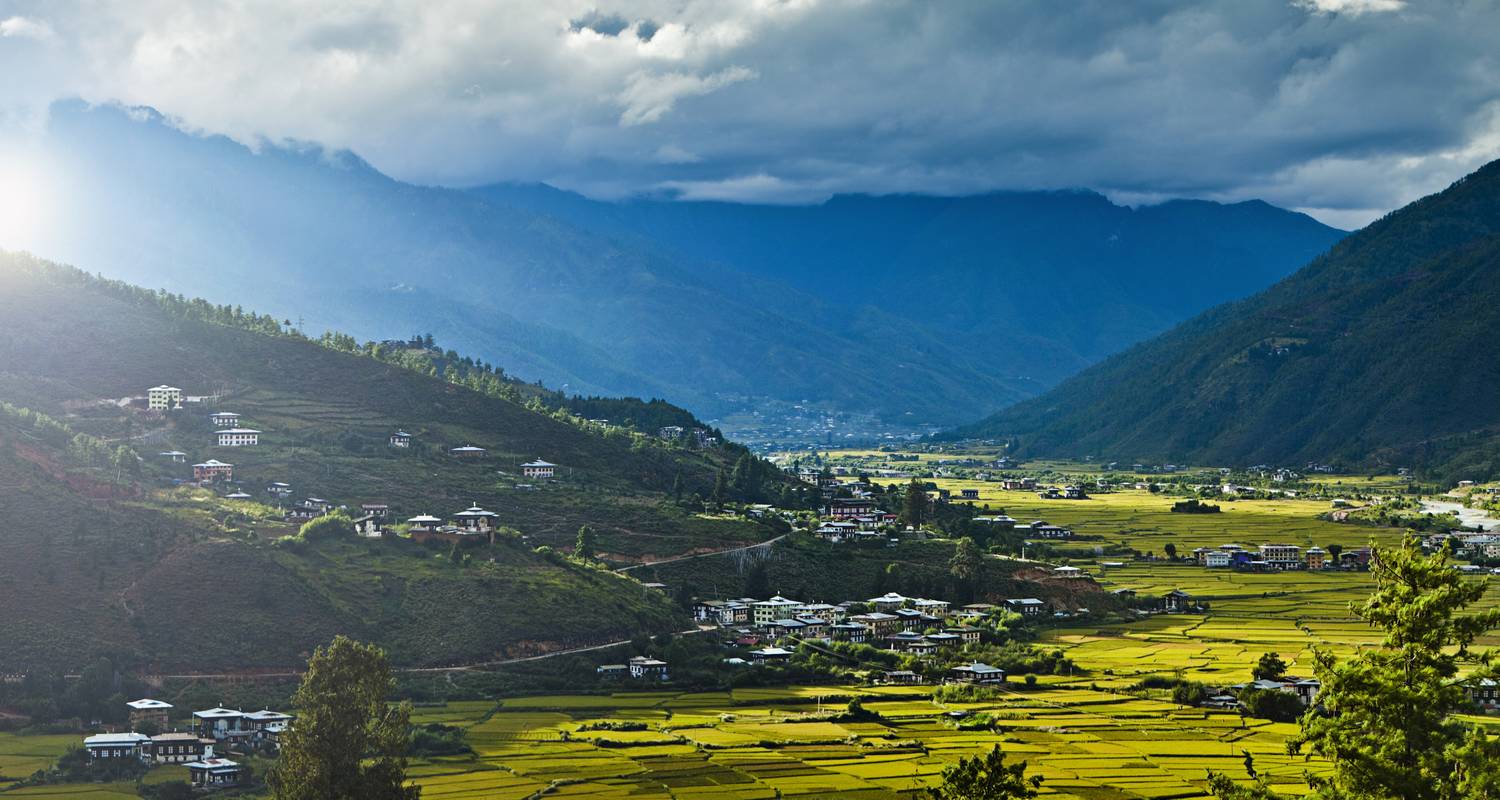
(104, 553)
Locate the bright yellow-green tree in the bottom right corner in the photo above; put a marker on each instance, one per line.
(1388, 720)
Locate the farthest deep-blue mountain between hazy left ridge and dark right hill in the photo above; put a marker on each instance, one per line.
(1042, 283)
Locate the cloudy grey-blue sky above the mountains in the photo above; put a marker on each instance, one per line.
(1342, 109)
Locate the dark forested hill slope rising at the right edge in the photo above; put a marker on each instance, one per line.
(1378, 353)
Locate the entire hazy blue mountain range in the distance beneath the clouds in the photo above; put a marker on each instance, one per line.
(914, 311)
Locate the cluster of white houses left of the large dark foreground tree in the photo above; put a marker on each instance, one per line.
(194, 748)
